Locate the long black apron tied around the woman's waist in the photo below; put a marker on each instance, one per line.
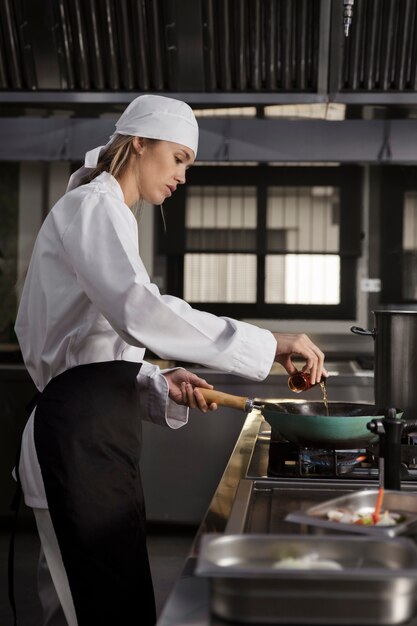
(87, 433)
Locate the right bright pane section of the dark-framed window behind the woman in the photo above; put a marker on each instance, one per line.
(303, 264)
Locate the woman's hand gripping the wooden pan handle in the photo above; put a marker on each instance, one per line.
(183, 390)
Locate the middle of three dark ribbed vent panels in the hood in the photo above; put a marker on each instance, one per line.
(261, 44)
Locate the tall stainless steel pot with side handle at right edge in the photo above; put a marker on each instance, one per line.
(395, 351)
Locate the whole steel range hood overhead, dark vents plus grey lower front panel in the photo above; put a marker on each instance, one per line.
(67, 65)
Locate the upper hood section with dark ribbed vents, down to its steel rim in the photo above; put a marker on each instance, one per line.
(208, 51)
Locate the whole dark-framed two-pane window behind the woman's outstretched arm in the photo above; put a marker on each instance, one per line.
(265, 241)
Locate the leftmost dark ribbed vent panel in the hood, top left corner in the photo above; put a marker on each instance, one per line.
(83, 45)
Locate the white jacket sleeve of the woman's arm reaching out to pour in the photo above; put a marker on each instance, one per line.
(101, 244)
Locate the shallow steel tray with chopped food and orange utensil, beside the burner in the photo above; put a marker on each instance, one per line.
(362, 501)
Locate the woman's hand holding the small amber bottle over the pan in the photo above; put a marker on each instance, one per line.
(299, 344)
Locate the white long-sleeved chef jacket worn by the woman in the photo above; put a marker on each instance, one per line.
(88, 298)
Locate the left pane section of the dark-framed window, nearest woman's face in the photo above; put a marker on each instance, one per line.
(220, 247)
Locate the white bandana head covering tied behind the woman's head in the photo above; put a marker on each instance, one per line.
(152, 117)
